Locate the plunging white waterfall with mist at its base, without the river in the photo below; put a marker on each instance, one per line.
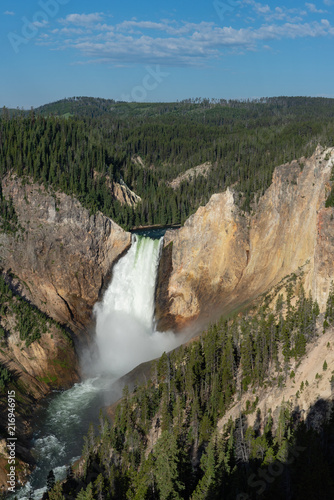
(125, 330)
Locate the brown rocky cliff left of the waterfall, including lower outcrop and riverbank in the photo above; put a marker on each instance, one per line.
(60, 259)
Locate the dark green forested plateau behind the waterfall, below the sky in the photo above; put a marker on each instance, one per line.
(80, 145)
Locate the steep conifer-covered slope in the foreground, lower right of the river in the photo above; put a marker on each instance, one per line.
(163, 442)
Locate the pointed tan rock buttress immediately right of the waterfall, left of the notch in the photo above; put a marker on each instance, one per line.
(202, 263)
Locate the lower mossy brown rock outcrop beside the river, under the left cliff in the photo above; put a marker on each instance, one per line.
(49, 363)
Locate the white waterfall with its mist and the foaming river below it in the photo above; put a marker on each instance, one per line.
(126, 337)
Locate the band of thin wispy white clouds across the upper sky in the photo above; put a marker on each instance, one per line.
(169, 42)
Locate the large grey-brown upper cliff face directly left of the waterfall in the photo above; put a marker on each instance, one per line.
(63, 256)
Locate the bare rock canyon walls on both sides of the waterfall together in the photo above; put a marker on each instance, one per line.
(223, 259)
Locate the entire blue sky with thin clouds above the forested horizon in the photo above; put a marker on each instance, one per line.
(164, 51)
